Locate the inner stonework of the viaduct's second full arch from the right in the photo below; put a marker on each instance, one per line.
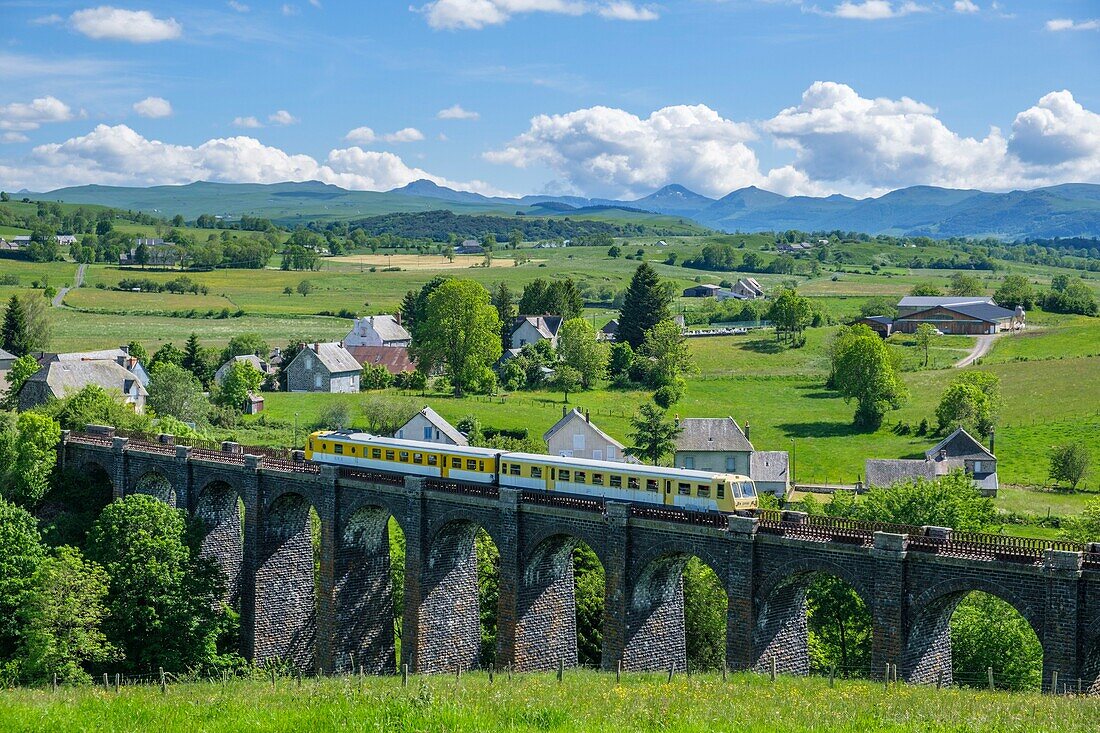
(782, 629)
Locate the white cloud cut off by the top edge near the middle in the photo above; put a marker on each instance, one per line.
(479, 14)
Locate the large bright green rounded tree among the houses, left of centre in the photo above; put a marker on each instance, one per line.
(461, 334)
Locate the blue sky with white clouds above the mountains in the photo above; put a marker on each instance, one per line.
(597, 97)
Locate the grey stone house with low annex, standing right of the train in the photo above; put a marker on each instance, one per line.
(959, 451)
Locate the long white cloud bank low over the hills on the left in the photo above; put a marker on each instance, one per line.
(118, 156)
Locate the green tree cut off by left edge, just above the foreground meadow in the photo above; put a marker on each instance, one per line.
(21, 552)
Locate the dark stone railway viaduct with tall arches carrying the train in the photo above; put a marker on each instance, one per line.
(910, 578)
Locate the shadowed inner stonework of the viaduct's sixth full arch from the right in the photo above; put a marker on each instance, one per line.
(365, 593)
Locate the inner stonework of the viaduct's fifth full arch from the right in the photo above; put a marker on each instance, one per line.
(449, 619)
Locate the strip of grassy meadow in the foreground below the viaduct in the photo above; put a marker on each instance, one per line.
(585, 702)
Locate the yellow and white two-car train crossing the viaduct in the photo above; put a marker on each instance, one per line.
(630, 483)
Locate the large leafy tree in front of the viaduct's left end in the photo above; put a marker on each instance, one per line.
(163, 601)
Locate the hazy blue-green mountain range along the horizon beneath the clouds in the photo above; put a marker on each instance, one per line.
(1064, 211)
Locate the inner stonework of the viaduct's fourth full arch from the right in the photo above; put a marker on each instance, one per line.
(546, 604)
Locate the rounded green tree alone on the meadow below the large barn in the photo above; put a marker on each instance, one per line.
(865, 371)
